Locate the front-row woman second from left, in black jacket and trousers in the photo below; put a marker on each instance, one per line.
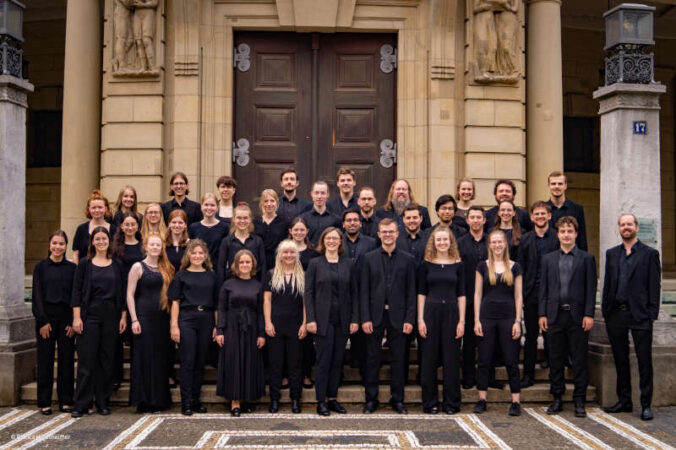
(98, 317)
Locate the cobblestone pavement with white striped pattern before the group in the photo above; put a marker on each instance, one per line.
(25, 427)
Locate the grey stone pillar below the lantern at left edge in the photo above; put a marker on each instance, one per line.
(17, 334)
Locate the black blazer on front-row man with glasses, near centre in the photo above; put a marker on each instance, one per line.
(402, 294)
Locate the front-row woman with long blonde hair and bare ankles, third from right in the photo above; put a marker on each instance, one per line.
(498, 306)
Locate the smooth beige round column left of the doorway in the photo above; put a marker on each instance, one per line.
(80, 142)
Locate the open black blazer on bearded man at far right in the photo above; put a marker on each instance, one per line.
(644, 282)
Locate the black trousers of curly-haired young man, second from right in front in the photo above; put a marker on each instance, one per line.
(567, 338)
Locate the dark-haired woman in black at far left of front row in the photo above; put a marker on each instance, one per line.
(52, 288)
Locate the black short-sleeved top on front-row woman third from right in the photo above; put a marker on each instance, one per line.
(498, 301)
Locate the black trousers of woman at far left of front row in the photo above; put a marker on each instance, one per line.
(59, 317)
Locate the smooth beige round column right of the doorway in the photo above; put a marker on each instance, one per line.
(544, 96)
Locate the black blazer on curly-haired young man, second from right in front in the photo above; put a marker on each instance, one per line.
(582, 287)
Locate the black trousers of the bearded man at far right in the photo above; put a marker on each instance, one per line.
(618, 324)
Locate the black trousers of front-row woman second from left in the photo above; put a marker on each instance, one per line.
(96, 353)
